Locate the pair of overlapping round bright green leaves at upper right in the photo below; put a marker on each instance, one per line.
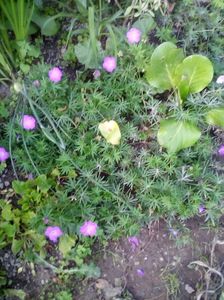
(169, 70)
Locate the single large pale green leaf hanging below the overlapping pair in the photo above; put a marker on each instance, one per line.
(176, 135)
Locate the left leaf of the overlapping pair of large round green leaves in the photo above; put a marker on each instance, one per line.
(164, 60)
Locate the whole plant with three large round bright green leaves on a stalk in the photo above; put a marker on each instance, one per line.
(169, 70)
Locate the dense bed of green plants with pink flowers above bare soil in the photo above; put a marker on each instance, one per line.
(122, 127)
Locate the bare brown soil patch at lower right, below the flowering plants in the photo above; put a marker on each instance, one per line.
(165, 264)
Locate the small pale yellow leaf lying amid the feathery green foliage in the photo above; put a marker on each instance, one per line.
(110, 131)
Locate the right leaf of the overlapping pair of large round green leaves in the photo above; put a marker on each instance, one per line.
(193, 74)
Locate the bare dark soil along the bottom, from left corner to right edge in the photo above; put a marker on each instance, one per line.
(162, 256)
